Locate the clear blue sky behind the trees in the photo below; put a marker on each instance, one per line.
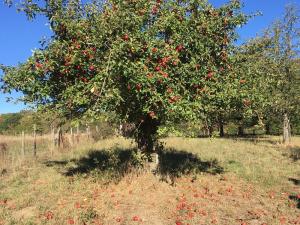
(19, 36)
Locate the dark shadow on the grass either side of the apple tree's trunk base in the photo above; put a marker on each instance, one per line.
(114, 164)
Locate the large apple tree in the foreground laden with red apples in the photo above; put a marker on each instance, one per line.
(149, 62)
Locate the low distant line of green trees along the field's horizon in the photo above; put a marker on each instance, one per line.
(15, 123)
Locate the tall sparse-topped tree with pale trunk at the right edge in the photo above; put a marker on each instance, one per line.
(285, 52)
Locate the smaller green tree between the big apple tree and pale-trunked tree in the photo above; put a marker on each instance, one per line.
(254, 82)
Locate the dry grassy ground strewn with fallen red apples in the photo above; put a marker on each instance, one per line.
(259, 186)
